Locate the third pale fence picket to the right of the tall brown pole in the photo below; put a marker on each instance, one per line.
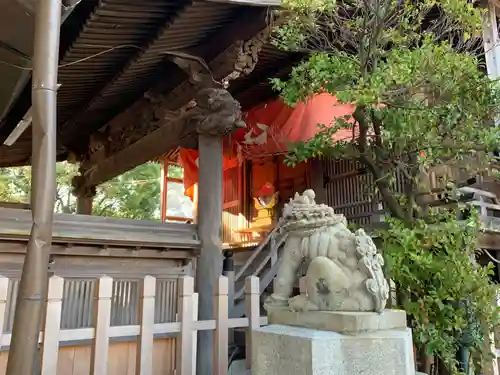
(144, 362)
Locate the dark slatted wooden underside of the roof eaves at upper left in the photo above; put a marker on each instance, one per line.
(113, 51)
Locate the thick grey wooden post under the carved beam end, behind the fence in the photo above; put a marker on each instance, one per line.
(209, 265)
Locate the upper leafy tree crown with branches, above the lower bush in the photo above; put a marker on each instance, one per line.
(419, 94)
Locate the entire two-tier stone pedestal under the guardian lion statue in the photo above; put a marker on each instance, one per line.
(347, 344)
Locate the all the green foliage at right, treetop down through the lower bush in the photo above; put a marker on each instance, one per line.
(412, 73)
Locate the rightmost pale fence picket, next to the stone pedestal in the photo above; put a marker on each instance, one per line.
(252, 310)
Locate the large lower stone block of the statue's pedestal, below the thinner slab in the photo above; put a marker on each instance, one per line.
(287, 350)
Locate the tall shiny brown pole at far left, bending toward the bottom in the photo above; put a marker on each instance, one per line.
(31, 299)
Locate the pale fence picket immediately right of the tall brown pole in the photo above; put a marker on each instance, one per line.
(50, 345)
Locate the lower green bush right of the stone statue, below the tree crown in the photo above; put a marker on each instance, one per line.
(447, 295)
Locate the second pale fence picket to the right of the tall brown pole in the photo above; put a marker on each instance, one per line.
(102, 320)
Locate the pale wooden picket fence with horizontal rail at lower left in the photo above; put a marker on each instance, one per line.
(101, 332)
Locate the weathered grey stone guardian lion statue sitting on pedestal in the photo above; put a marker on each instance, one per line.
(344, 269)
